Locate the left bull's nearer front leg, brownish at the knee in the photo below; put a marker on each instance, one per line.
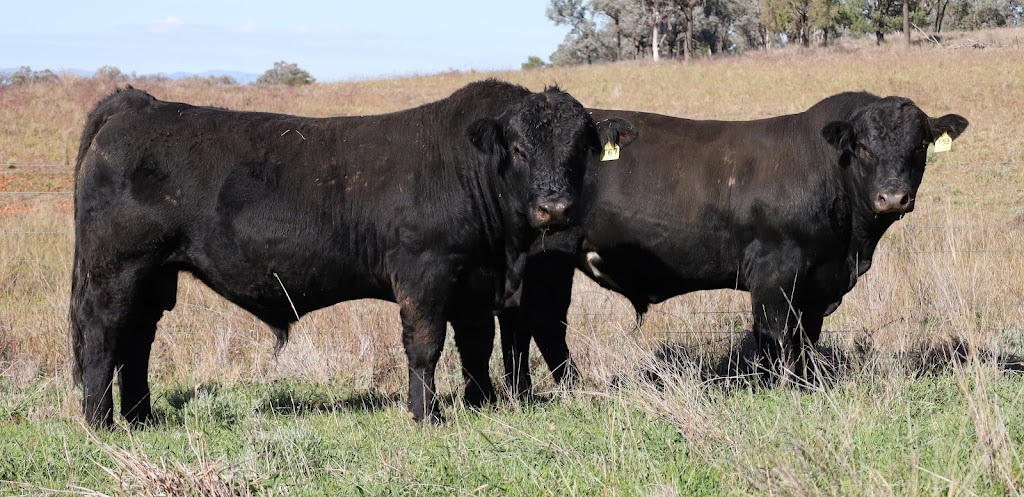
(423, 337)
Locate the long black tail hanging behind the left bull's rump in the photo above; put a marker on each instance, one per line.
(123, 100)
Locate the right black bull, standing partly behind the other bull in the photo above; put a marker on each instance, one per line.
(790, 210)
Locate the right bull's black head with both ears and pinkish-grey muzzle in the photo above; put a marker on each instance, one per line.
(887, 143)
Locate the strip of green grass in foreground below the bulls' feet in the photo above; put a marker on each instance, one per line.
(895, 436)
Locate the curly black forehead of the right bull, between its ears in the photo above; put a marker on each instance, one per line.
(893, 123)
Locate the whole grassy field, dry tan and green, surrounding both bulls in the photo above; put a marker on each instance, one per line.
(925, 353)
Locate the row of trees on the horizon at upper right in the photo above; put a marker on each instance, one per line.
(616, 30)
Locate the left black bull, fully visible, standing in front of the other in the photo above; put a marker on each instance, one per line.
(434, 209)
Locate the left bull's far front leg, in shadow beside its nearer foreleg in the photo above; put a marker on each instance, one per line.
(475, 336)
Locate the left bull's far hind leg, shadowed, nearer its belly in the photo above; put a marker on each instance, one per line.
(156, 296)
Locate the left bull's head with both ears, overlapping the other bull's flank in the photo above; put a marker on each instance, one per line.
(544, 142)
